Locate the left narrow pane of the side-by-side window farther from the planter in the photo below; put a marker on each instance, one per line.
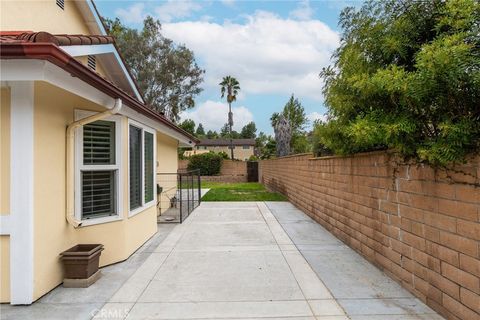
(135, 144)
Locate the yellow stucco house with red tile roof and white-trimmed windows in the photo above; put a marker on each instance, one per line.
(79, 148)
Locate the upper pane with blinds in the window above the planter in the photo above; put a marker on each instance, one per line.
(99, 143)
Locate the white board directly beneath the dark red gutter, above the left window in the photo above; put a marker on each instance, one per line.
(38, 70)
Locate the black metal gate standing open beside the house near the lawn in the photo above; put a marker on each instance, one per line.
(178, 194)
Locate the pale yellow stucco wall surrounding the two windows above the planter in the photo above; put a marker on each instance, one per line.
(54, 110)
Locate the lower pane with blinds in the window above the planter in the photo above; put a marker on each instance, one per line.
(98, 194)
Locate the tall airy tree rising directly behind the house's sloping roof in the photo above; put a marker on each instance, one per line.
(167, 74)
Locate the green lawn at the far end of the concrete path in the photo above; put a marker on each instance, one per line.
(249, 191)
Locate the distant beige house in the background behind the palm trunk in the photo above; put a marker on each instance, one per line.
(243, 149)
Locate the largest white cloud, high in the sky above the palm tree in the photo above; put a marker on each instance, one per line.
(267, 54)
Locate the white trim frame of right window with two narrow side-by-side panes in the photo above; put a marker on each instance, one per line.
(144, 205)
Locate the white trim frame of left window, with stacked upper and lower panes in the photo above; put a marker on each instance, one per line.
(80, 114)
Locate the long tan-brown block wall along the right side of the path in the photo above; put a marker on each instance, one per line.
(419, 225)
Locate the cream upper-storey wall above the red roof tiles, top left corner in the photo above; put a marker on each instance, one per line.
(41, 15)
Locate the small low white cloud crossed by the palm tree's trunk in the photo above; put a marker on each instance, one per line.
(214, 114)
